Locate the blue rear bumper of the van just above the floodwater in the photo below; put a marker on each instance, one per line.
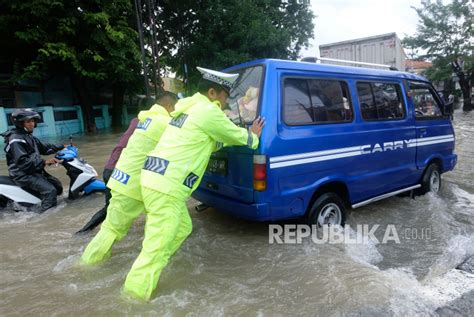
(255, 212)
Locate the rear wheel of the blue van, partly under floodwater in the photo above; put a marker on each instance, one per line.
(331, 207)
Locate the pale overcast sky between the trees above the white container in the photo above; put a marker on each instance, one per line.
(340, 20)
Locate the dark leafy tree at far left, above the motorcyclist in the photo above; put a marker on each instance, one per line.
(91, 41)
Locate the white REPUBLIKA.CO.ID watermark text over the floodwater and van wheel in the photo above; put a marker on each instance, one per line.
(361, 234)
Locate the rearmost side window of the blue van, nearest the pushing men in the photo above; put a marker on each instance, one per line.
(315, 101)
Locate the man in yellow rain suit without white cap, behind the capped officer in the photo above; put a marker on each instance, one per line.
(127, 203)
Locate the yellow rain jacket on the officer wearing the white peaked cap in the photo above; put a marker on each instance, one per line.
(176, 166)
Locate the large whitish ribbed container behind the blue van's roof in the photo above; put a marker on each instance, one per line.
(380, 49)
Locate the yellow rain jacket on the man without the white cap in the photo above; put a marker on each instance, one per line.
(125, 178)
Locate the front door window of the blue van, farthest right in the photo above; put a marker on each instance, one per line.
(426, 104)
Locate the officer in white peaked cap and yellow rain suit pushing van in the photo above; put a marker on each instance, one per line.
(173, 170)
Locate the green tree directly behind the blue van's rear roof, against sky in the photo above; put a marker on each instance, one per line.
(218, 33)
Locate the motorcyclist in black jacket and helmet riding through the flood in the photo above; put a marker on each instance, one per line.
(25, 165)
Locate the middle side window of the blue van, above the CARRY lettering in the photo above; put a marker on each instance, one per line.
(380, 101)
